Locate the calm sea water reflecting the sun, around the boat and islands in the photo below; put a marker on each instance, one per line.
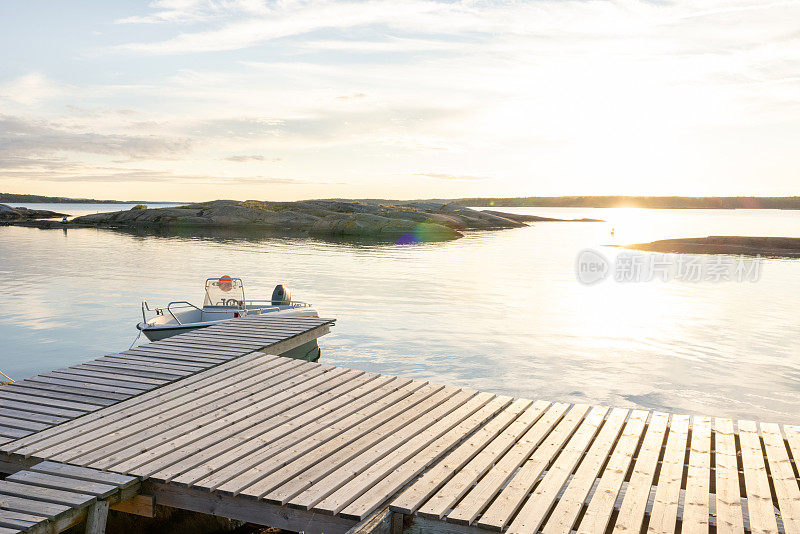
(499, 311)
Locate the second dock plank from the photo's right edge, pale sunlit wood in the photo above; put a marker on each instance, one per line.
(783, 478)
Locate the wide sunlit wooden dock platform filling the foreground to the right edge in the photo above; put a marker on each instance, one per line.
(316, 448)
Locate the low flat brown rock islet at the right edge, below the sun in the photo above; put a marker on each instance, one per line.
(781, 247)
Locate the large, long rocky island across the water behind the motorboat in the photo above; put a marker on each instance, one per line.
(421, 220)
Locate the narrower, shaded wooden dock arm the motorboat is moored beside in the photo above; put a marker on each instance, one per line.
(53, 398)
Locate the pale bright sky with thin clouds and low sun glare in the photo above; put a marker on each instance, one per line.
(281, 100)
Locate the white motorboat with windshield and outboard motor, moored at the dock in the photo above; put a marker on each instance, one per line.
(224, 300)
